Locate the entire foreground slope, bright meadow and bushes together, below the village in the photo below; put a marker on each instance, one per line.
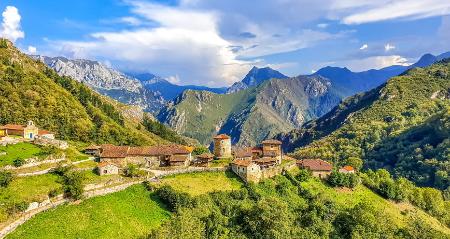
(282, 207)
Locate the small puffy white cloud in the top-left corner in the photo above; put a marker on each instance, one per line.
(11, 24)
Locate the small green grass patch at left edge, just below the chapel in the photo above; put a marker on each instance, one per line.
(20, 150)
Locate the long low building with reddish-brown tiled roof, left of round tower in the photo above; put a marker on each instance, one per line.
(164, 155)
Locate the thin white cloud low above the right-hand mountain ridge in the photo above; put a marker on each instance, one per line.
(374, 62)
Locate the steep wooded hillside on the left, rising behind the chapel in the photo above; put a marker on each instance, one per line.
(31, 91)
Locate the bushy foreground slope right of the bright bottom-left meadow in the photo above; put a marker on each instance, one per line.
(284, 208)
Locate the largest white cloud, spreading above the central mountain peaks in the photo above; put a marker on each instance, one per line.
(186, 44)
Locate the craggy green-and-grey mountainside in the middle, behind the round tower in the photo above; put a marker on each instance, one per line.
(250, 115)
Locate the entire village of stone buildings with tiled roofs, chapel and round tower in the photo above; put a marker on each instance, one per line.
(251, 164)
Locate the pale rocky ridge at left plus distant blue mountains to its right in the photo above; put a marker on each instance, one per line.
(148, 91)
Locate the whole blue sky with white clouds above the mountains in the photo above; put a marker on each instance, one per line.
(215, 43)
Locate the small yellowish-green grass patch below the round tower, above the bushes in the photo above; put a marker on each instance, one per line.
(204, 182)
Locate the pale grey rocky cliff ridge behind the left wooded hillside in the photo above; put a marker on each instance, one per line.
(106, 81)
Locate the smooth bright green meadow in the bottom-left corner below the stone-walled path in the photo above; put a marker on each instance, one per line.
(131, 213)
